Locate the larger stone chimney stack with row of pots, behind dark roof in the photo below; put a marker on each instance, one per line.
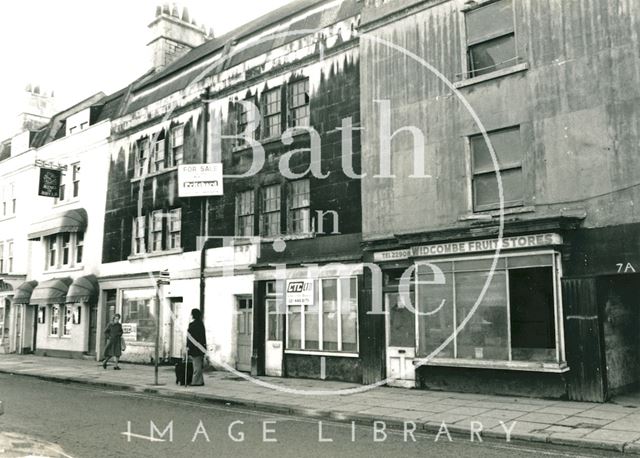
(173, 35)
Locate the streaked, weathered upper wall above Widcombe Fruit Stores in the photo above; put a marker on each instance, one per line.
(577, 106)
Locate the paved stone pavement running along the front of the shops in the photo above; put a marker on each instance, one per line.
(609, 426)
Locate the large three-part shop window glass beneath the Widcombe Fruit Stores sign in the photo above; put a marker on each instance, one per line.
(515, 319)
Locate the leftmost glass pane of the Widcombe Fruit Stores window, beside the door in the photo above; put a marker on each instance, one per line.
(435, 304)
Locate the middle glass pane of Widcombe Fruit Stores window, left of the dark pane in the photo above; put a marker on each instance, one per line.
(485, 335)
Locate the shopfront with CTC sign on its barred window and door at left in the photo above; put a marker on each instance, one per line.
(311, 323)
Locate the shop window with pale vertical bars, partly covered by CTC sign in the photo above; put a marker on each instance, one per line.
(330, 323)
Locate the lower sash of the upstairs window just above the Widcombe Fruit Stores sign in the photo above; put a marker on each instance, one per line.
(486, 189)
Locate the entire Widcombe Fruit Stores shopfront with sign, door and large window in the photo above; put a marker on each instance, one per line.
(454, 307)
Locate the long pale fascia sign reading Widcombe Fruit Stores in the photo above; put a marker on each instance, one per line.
(473, 246)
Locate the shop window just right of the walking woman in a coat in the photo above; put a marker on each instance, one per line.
(138, 313)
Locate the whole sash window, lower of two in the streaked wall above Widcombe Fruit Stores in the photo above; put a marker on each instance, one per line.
(509, 153)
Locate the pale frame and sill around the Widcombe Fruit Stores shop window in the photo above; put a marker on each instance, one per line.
(560, 363)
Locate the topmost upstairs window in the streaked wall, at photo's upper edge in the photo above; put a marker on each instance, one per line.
(491, 42)
